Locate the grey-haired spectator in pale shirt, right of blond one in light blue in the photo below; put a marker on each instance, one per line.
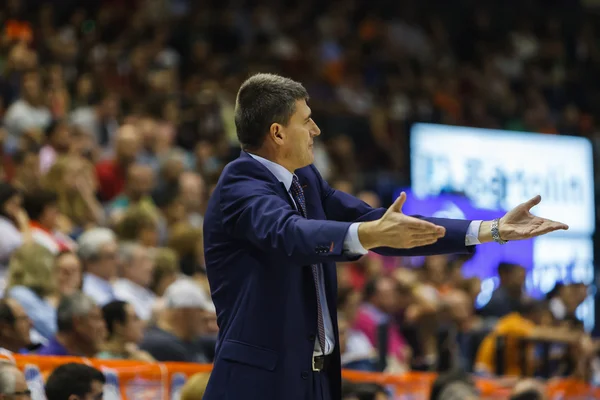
(98, 250)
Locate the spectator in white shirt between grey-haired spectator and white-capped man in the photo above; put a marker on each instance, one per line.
(133, 287)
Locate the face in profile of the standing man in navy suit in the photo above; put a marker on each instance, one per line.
(296, 138)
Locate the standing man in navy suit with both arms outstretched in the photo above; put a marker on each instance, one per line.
(272, 234)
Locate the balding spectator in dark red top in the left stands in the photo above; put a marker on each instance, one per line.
(112, 172)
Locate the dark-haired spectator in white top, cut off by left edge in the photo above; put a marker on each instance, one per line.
(14, 222)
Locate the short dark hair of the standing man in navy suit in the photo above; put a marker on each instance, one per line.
(262, 100)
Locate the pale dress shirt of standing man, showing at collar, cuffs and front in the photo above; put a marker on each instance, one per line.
(352, 245)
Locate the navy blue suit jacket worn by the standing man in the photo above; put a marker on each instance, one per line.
(258, 249)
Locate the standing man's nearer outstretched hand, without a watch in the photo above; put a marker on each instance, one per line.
(395, 229)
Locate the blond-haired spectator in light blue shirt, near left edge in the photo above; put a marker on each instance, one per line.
(31, 283)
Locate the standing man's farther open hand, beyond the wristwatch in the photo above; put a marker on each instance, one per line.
(519, 223)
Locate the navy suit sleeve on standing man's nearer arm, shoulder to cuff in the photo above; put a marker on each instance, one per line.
(252, 210)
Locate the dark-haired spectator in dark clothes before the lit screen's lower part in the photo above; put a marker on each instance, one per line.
(509, 295)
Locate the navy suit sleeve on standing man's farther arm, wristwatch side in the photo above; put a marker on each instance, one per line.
(340, 206)
